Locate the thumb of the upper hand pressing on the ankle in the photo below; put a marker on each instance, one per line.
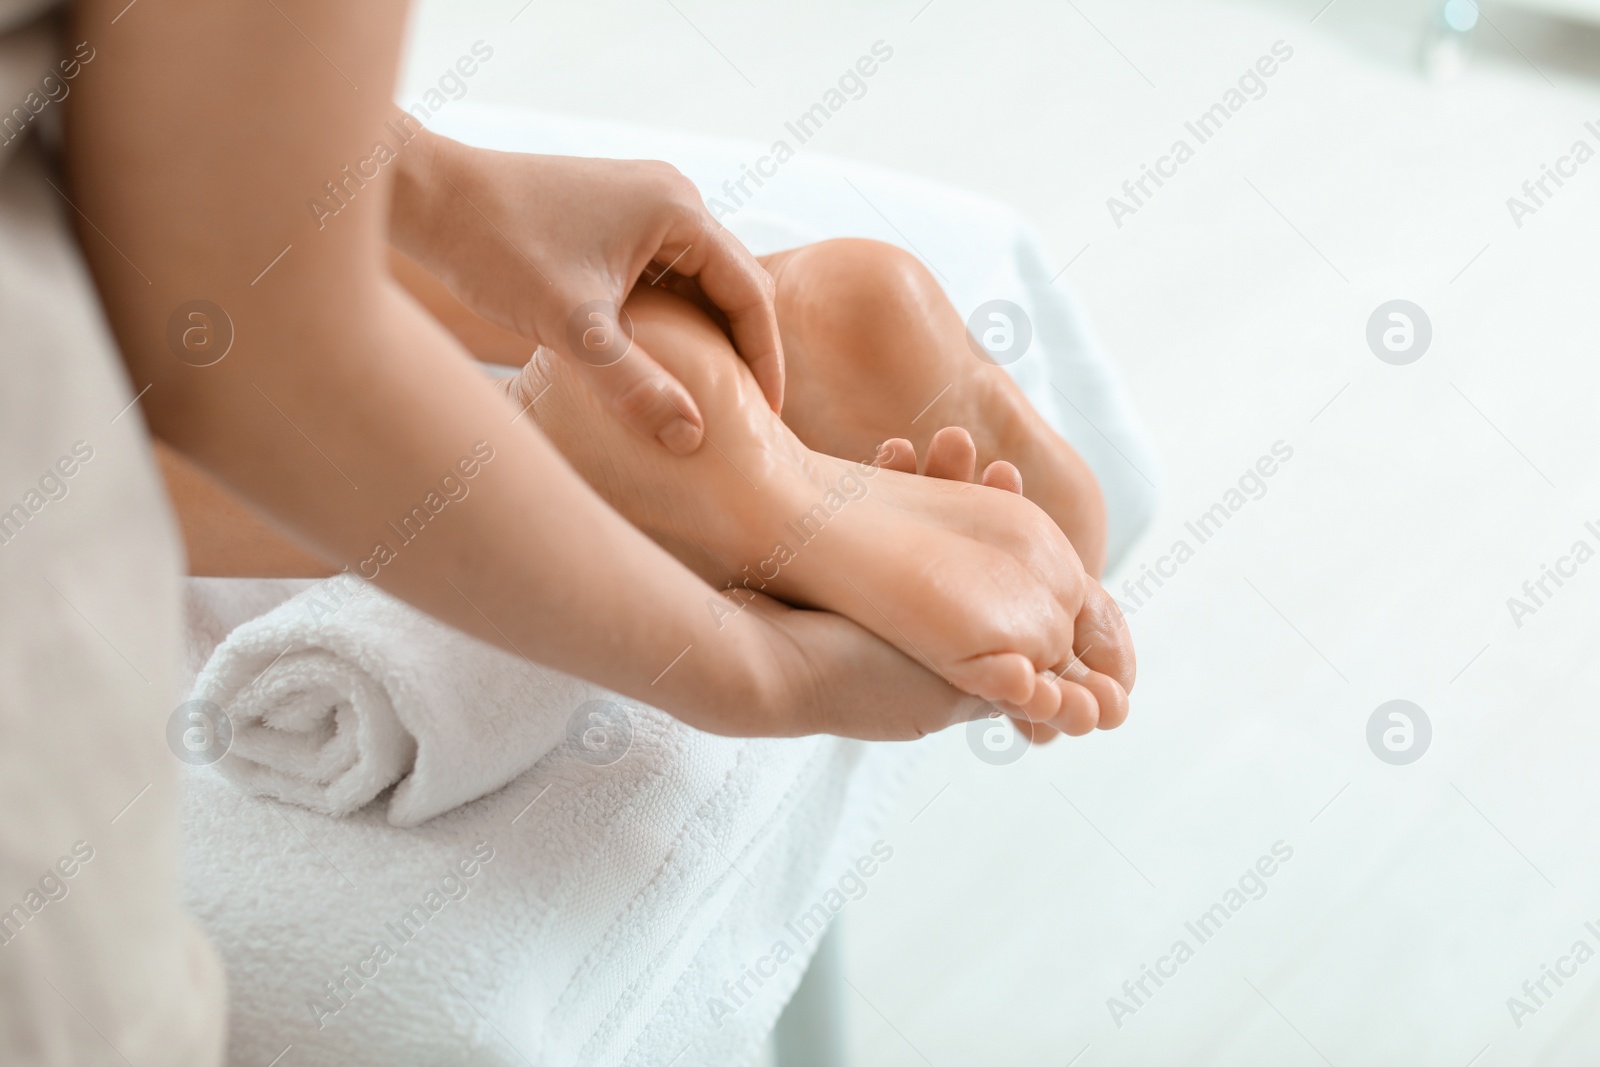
(599, 343)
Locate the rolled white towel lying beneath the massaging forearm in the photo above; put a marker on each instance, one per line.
(343, 692)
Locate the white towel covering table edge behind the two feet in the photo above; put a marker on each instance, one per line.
(978, 249)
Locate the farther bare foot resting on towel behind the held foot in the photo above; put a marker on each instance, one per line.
(876, 351)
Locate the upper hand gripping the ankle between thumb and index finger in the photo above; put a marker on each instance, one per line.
(551, 246)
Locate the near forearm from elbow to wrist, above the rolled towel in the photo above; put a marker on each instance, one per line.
(519, 554)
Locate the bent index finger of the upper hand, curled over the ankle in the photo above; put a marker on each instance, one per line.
(740, 287)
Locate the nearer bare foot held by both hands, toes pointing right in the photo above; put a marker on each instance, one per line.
(974, 581)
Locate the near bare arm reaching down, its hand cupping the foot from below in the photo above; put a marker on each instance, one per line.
(196, 145)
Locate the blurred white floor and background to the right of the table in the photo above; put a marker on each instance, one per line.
(1378, 565)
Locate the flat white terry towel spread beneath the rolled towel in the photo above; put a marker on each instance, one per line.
(620, 903)
